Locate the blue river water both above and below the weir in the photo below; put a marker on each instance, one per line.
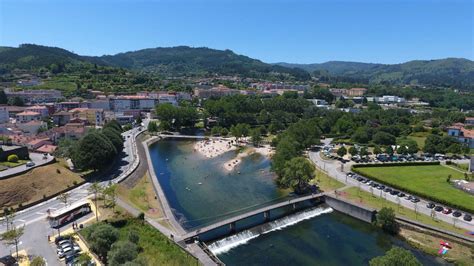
(200, 192)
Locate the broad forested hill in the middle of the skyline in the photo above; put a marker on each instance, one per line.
(186, 60)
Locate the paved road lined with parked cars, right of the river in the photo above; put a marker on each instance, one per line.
(333, 168)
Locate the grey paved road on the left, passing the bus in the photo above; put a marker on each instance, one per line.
(34, 218)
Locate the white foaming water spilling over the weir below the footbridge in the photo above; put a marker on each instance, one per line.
(230, 242)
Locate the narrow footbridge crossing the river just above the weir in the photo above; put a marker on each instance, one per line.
(265, 210)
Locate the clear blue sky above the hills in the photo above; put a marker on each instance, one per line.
(298, 31)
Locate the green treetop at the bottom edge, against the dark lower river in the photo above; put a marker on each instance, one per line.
(396, 256)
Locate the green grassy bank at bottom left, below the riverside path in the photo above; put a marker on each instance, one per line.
(156, 249)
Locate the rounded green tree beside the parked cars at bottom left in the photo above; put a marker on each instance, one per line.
(101, 239)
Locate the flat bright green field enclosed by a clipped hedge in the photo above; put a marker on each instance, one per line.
(428, 181)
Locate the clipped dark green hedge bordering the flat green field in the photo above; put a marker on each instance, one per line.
(417, 193)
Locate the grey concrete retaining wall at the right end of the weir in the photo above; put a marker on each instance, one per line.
(357, 211)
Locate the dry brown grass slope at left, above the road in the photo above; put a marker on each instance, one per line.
(33, 185)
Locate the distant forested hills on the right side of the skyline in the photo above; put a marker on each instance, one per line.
(450, 72)
